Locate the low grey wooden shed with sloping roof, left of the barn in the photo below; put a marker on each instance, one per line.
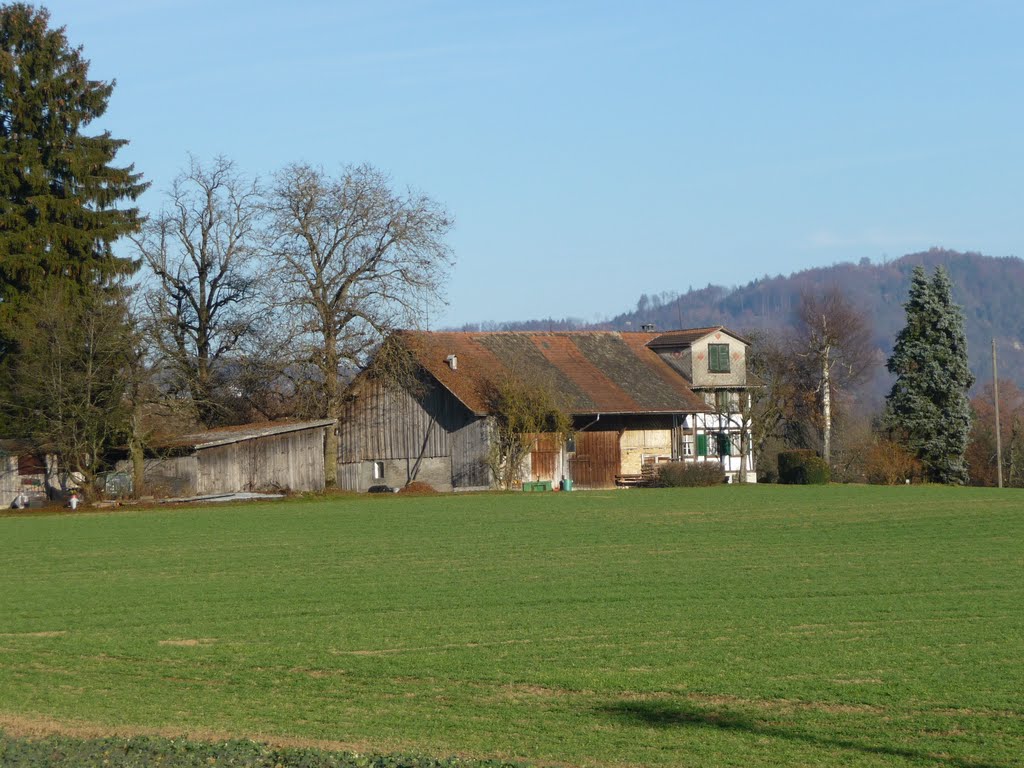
(274, 456)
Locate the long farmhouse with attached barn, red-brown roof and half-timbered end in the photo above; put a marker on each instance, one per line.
(635, 399)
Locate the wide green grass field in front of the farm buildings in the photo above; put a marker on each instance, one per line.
(758, 626)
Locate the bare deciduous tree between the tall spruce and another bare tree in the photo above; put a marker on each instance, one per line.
(202, 251)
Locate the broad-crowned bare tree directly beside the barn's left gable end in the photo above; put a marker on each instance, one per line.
(355, 262)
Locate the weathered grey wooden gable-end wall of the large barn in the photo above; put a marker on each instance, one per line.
(385, 423)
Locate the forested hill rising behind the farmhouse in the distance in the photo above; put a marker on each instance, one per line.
(991, 290)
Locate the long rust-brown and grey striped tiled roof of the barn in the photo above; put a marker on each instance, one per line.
(594, 372)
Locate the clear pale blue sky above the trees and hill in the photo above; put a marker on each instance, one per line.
(592, 152)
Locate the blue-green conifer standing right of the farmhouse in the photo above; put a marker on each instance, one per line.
(928, 408)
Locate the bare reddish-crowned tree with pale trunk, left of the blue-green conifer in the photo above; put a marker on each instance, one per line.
(835, 338)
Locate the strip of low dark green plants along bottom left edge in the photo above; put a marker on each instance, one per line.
(147, 752)
